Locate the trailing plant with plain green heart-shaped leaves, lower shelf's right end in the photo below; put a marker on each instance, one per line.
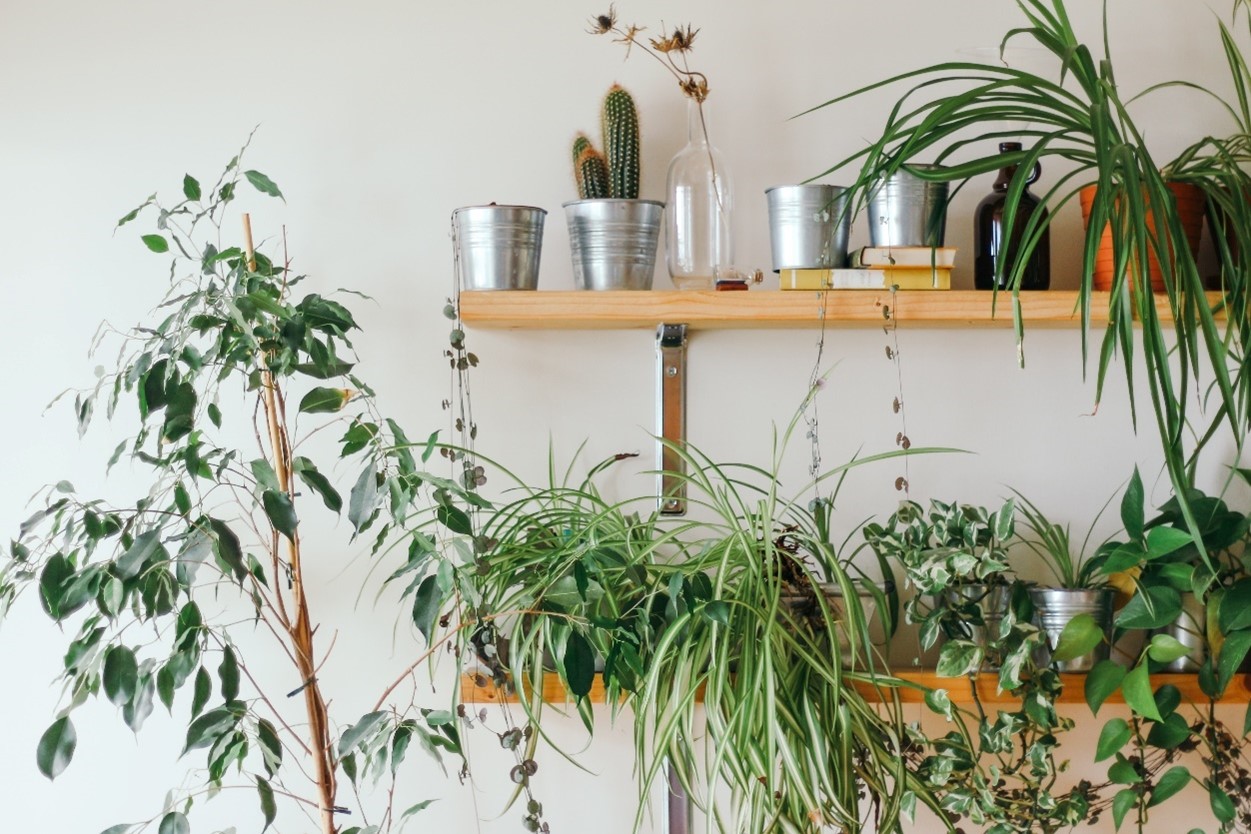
(1163, 566)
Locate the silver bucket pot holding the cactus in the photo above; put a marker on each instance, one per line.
(614, 243)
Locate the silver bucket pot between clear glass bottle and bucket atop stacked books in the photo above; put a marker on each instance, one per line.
(809, 227)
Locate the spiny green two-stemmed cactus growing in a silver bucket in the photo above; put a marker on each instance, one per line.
(614, 173)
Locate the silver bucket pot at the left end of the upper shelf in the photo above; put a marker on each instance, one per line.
(499, 247)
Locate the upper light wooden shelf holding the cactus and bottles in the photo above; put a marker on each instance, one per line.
(772, 309)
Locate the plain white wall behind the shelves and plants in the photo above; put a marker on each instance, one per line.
(378, 119)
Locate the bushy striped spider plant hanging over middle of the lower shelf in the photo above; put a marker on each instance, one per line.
(786, 733)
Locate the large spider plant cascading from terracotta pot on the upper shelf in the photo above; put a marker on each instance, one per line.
(1084, 118)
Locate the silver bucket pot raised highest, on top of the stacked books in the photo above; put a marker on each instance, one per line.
(906, 211)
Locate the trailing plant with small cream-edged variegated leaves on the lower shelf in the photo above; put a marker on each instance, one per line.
(1000, 770)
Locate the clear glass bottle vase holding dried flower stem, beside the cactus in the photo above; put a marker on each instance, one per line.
(700, 242)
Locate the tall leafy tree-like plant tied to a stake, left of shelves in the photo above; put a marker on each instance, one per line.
(171, 597)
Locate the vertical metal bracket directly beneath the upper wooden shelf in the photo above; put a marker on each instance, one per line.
(671, 399)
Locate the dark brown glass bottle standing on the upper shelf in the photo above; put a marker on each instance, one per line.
(990, 238)
